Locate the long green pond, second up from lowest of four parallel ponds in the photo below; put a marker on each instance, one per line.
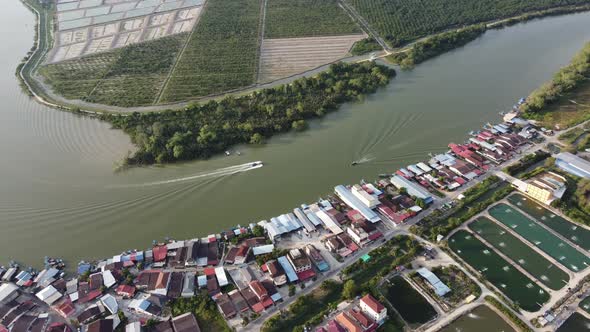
(534, 263)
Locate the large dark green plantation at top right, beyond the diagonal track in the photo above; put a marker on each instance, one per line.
(401, 21)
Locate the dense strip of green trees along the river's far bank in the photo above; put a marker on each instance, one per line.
(200, 131)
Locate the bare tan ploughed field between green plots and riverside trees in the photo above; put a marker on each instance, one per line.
(285, 57)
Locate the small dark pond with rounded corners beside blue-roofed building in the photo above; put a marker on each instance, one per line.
(412, 306)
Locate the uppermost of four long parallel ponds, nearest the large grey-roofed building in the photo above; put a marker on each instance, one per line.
(577, 234)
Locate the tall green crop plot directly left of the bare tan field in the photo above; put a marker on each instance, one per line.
(222, 53)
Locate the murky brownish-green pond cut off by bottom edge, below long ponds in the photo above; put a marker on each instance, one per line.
(481, 319)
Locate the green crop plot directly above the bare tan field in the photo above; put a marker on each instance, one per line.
(307, 18)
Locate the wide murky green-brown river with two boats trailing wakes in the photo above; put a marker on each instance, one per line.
(59, 195)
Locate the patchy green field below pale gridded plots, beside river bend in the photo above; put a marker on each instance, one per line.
(131, 76)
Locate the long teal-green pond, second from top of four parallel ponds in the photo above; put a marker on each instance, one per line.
(540, 237)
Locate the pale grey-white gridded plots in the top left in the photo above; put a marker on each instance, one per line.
(91, 26)
